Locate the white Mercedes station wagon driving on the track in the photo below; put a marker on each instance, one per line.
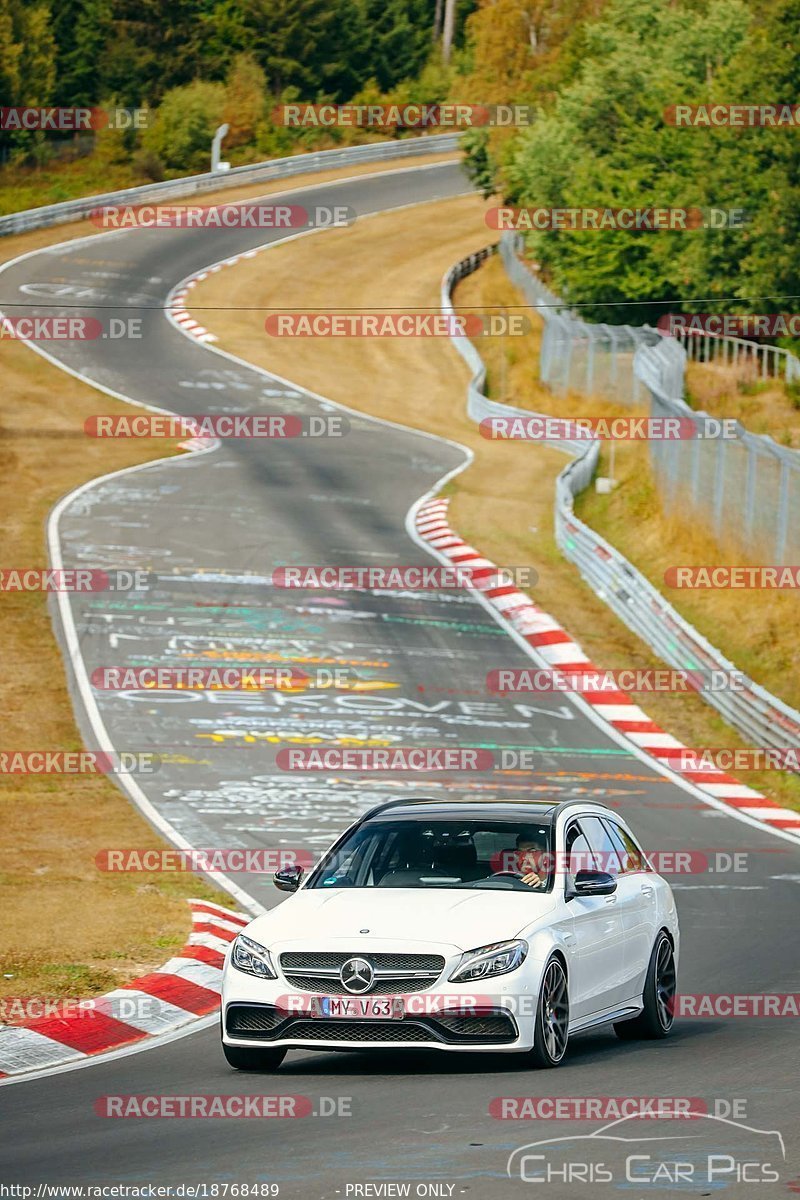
(459, 926)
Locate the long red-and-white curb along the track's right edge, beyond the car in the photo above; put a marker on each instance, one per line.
(560, 650)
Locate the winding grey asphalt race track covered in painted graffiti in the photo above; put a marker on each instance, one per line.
(210, 529)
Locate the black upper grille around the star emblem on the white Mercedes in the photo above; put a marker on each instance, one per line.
(395, 974)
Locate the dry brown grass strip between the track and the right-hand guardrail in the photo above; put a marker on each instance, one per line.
(504, 502)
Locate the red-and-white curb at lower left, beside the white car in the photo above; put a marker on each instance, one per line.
(187, 988)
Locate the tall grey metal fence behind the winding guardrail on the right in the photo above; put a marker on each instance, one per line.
(745, 489)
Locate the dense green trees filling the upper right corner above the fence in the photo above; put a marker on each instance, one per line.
(601, 141)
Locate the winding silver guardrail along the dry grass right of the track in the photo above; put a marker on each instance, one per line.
(763, 719)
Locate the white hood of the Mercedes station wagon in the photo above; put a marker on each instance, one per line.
(461, 919)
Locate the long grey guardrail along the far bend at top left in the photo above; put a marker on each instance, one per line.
(260, 172)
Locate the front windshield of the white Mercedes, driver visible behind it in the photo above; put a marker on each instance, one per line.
(500, 855)
